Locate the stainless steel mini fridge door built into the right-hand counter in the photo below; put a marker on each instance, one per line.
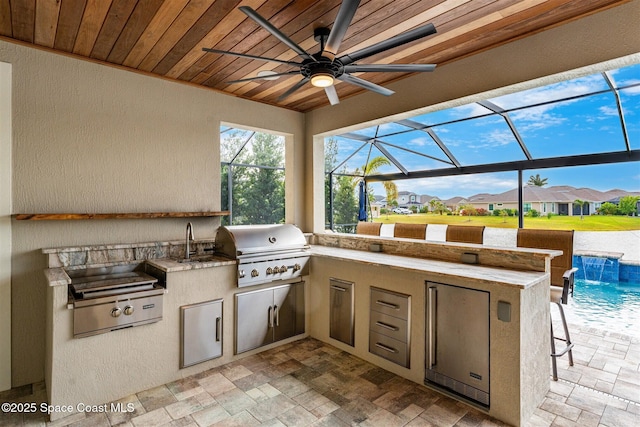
(457, 358)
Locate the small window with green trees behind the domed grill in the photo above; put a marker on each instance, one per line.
(252, 176)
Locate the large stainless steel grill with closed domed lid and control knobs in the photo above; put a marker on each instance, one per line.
(265, 253)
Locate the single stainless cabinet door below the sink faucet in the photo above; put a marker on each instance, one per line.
(201, 332)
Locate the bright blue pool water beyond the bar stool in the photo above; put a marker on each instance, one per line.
(608, 306)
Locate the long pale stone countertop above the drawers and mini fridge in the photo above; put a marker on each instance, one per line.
(512, 278)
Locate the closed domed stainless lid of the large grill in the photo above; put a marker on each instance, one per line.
(242, 240)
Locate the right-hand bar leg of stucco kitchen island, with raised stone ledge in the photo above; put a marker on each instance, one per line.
(518, 308)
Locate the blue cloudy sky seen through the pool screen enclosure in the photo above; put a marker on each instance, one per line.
(574, 117)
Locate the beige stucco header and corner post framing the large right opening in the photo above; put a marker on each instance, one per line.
(592, 40)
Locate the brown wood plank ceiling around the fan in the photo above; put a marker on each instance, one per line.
(166, 38)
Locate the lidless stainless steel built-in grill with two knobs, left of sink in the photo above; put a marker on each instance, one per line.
(110, 298)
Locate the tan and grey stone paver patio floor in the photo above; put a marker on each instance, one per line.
(310, 383)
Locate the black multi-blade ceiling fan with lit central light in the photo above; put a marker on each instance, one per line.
(325, 67)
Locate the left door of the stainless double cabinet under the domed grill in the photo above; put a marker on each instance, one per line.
(253, 319)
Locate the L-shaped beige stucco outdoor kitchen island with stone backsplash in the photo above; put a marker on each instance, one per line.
(110, 366)
